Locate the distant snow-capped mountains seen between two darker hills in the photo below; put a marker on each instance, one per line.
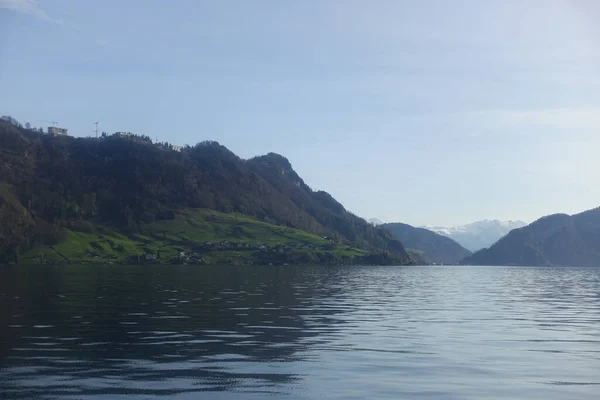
(479, 234)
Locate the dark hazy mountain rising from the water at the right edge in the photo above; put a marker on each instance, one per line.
(557, 239)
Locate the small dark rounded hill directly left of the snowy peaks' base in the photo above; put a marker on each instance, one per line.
(430, 246)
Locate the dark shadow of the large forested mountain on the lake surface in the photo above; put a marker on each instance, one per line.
(157, 330)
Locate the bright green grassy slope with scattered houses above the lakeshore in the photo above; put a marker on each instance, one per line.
(188, 232)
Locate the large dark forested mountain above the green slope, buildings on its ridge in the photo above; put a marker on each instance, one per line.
(126, 183)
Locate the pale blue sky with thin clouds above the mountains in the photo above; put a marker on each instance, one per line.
(424, 112)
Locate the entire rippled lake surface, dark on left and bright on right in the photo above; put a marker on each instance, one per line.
(352, 333)
